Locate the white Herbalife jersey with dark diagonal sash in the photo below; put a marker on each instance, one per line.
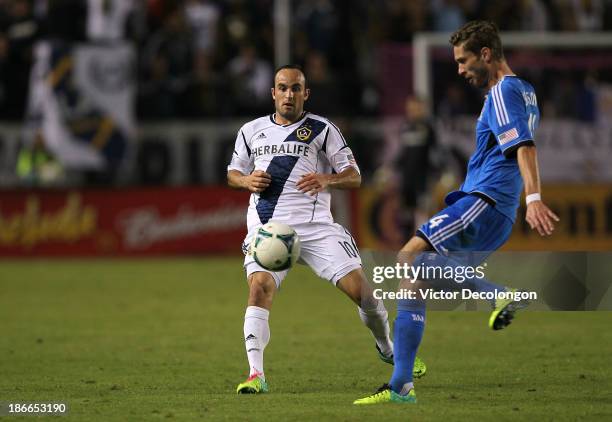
(287, 152)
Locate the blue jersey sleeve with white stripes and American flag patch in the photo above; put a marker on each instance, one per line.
(510, 118)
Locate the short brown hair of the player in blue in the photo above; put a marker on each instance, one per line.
(475, 35)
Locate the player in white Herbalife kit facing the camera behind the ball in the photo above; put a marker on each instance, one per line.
(288, 161)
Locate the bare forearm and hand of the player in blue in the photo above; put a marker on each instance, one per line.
(539, 216)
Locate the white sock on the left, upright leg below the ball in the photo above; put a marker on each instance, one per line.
(256, 337)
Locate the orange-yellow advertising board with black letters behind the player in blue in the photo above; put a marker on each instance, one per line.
(585, 212)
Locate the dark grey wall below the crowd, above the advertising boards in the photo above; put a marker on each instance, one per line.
(186, 153)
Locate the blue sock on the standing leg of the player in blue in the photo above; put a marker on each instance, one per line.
(407, 334)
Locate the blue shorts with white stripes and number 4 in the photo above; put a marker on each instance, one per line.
(470, 224)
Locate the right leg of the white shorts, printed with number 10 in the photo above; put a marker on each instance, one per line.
(330, 250)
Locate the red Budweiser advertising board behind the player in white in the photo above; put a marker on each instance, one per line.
(122, 221)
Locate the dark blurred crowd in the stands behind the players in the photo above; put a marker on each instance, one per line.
(214, 58)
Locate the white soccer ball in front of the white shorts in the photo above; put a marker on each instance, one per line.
(276, 246)
